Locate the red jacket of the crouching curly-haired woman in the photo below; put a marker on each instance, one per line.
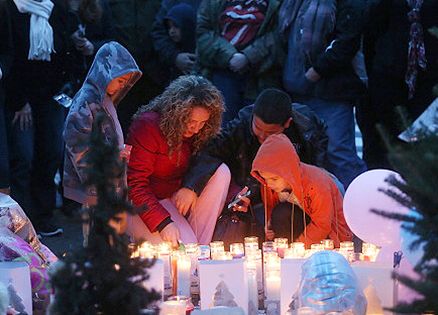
(153, 174)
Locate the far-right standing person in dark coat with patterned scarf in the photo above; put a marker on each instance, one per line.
(402, 63)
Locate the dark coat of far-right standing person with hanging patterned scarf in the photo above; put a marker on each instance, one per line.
(386, 43)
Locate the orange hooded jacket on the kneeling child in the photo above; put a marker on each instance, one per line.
(313, 188)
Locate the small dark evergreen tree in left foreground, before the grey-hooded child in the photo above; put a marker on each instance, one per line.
(101, 278)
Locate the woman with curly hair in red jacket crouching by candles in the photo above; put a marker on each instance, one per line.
(164, 135)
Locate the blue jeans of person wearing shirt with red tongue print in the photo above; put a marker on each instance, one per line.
(232, 85)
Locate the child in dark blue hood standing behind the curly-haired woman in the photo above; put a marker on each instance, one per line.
(181, 26)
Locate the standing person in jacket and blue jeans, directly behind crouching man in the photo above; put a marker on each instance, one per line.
(323, 38)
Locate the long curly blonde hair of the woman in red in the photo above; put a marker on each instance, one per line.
(175, 105)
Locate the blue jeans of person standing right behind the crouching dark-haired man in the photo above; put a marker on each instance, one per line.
(343, 161)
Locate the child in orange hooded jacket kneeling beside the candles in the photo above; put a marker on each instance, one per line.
(286, 180)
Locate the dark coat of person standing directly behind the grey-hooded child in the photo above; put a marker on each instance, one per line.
(98, 33)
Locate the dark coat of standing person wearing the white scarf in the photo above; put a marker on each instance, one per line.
(35, 81)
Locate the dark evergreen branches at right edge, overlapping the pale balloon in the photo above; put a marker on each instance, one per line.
(417, 163)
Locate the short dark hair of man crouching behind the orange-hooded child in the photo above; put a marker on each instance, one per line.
(273, 106)
